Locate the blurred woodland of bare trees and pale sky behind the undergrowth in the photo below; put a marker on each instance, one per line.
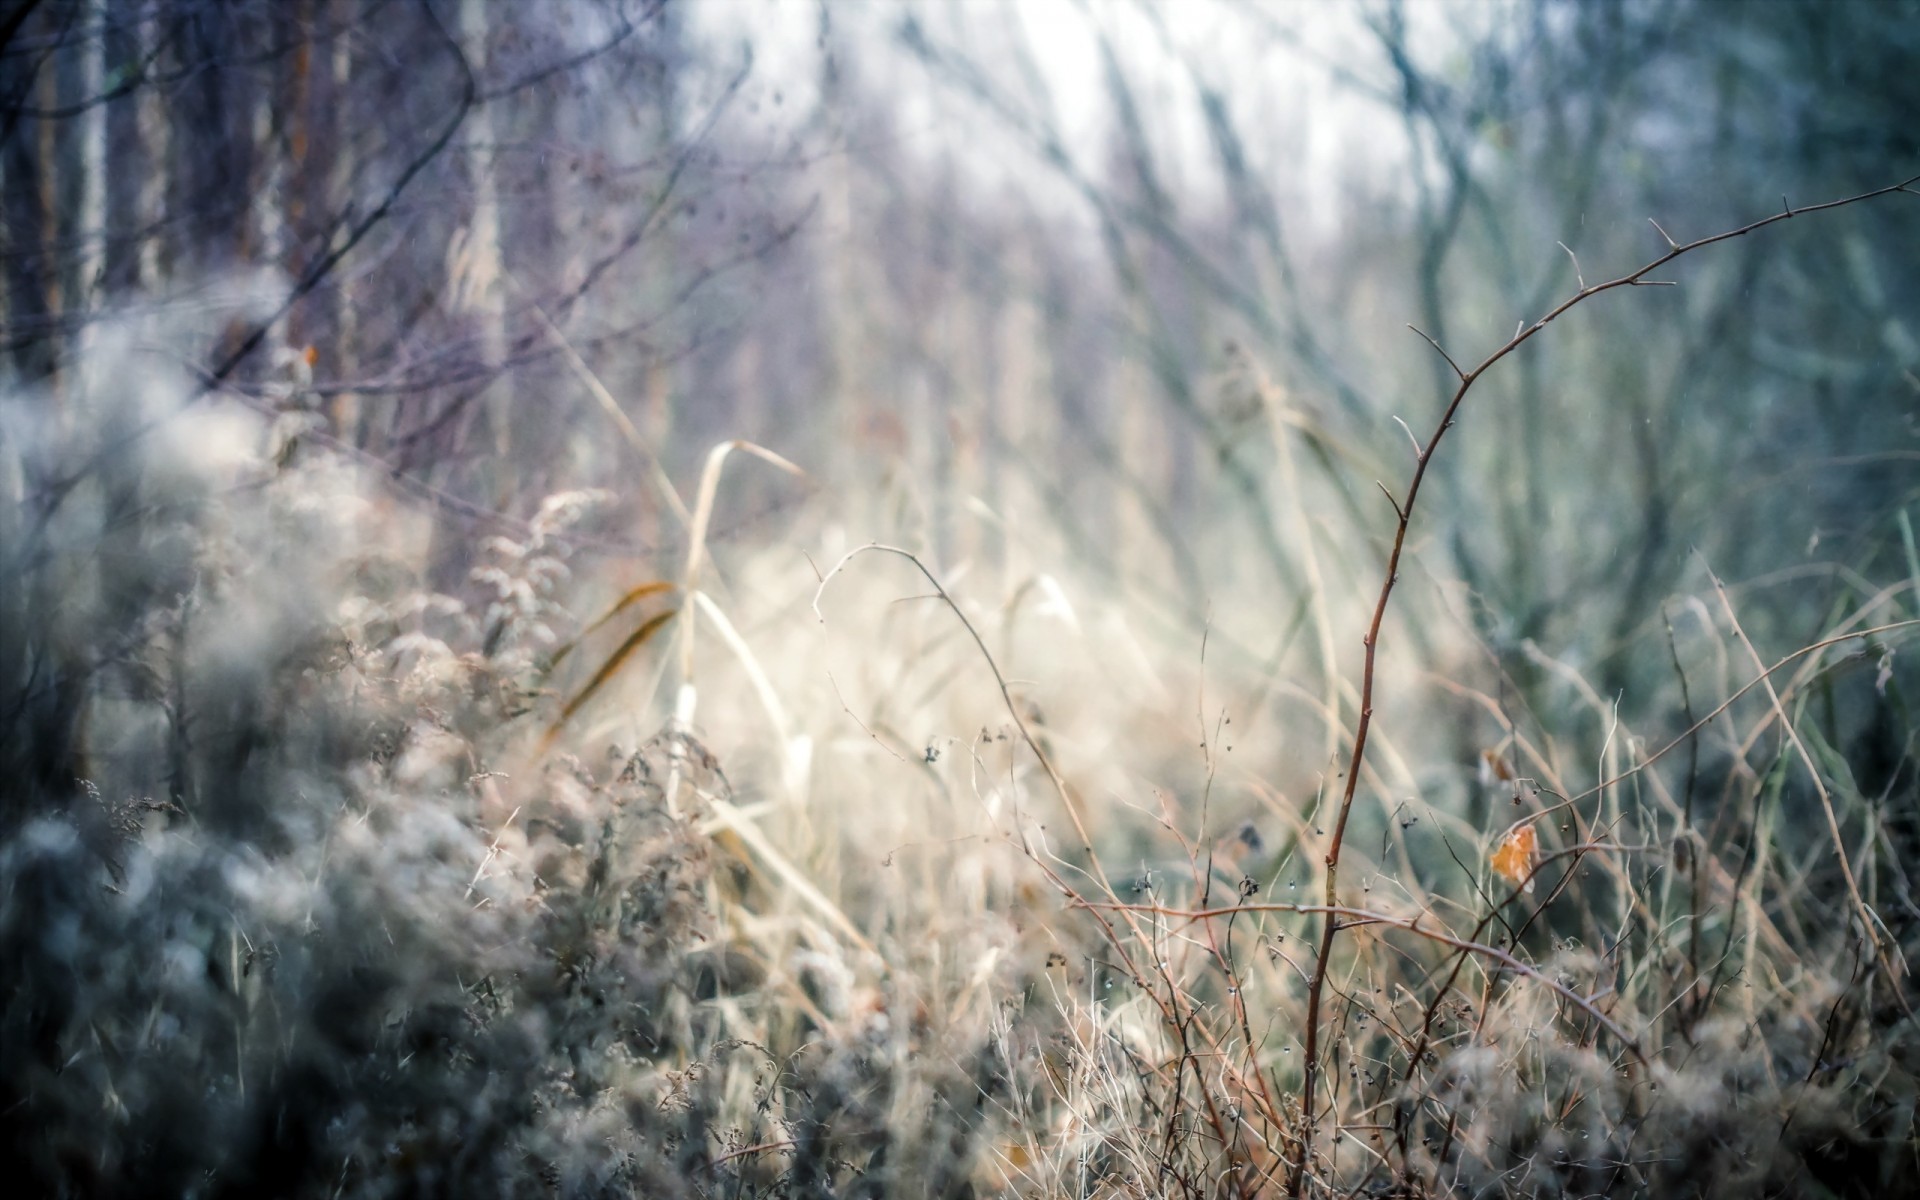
(1044, 276)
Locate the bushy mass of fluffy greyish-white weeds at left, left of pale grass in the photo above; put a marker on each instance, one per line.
(287, 909)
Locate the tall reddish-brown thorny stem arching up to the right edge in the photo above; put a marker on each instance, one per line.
(1404, 519)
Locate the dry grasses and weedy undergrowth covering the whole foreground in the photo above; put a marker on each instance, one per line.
(819, 875)
